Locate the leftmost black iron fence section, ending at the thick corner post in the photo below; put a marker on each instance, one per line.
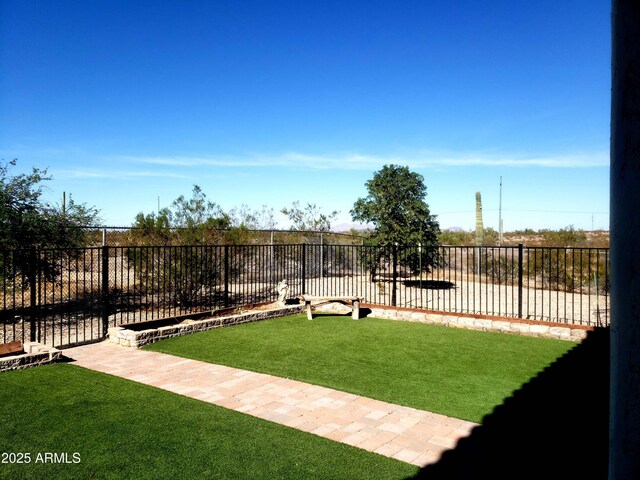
(51, 295)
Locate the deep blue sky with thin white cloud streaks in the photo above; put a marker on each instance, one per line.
(270, 102)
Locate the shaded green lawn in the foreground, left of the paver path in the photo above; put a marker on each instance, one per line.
(120, 429)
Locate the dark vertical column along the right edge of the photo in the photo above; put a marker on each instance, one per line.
(624, 451)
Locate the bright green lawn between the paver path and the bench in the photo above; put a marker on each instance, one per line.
(460, 373)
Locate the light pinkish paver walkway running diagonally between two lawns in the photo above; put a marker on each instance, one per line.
(413, 436)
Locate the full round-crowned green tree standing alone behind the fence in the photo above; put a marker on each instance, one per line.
(405, 232)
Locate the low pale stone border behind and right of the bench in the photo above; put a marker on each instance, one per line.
(516, 326)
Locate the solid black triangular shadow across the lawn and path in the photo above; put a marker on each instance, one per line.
(555, 426)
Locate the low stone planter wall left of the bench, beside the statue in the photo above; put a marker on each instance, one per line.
(130, 338)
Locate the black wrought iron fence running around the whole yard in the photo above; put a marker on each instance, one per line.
(64, 297)
